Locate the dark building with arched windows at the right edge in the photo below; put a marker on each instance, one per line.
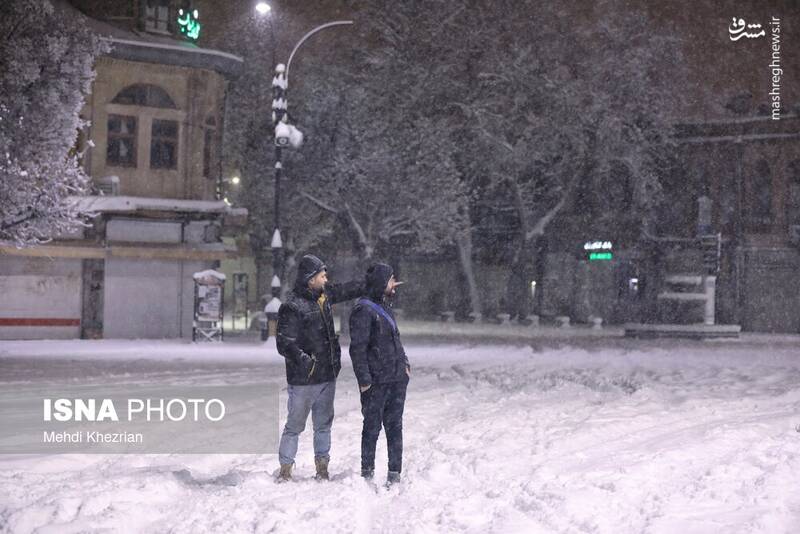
(750, 168)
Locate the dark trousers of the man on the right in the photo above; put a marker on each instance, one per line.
(382, 404)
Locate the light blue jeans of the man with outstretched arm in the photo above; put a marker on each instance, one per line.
(314, 398)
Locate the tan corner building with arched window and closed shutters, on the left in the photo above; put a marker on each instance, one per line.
(156, 110)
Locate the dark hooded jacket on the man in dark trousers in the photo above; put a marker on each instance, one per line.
(375, 348)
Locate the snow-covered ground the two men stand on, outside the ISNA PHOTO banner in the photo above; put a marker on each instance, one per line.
(615, 437)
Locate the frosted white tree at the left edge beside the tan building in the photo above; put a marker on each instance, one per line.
(46, 61)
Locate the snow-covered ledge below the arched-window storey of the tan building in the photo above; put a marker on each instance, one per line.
(107, 204)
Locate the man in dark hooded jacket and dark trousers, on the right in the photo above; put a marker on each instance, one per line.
(382, 370)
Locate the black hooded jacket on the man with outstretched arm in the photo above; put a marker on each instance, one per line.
(306, 335)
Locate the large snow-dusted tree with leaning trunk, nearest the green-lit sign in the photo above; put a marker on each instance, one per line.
(558, 107)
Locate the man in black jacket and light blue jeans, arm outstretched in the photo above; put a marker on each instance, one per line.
(307, 340)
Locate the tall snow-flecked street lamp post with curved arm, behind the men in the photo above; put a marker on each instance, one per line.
(286, 135)
